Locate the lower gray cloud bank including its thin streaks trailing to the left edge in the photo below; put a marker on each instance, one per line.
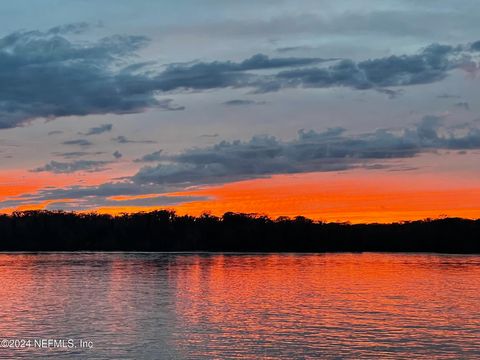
(261, 156)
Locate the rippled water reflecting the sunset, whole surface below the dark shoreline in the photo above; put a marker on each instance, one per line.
(205, 306)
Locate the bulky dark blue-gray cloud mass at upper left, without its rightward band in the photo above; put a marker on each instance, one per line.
(50, 76)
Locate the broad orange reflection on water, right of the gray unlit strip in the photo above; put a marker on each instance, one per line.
(327, 305)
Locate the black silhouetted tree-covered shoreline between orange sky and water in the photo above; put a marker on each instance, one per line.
(163, 231)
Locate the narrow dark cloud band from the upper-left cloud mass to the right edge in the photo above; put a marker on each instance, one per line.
(431, 64)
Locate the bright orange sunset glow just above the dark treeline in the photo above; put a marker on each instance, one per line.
(355, 196)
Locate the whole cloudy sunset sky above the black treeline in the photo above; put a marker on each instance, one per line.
(336, 110)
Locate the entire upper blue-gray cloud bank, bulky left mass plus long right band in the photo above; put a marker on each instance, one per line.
(44, 74)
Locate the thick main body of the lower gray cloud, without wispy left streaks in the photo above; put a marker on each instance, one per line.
(331, 150)
